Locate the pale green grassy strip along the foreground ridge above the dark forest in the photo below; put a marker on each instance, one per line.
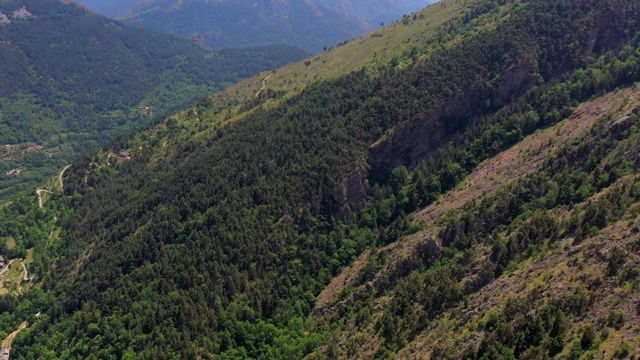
(371, 51)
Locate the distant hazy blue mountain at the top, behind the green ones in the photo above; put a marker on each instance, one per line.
(312, 25)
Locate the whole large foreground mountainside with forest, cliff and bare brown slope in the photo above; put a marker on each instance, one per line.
(467, 189)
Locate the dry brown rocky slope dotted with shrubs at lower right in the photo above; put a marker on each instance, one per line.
(552, 270)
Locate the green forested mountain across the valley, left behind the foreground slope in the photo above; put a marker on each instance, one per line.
(72, 80)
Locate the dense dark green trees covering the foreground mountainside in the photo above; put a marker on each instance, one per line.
(219, 242)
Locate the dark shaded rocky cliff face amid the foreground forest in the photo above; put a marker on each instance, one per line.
(415, 140)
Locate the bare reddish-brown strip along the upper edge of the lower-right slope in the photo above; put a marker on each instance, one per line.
(520, 160)
